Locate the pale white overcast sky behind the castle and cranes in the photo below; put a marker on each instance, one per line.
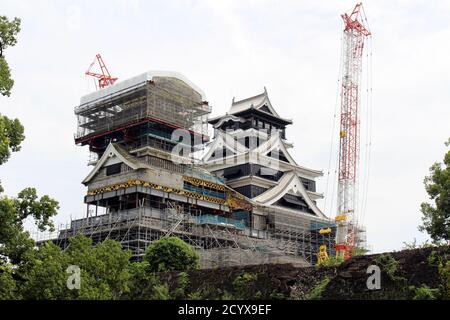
(234, 49)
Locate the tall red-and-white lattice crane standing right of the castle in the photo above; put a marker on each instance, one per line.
(355, 32)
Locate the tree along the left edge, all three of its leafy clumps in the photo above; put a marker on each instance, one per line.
(14, 241)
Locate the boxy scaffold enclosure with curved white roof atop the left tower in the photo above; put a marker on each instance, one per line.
(166, 102)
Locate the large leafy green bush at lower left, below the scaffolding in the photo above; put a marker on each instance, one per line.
(104, 270)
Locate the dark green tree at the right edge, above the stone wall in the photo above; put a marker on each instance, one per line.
(436, 217)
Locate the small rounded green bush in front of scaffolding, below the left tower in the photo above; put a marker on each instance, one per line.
(169, 254)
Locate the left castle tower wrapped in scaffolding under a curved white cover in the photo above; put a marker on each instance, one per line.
(143, 133)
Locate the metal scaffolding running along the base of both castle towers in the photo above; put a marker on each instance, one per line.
(219, 244)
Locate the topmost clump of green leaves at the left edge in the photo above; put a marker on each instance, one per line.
(8, 38)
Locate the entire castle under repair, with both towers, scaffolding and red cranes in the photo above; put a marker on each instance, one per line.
(238, 197)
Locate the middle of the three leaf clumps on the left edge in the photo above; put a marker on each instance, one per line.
(11, 136)
